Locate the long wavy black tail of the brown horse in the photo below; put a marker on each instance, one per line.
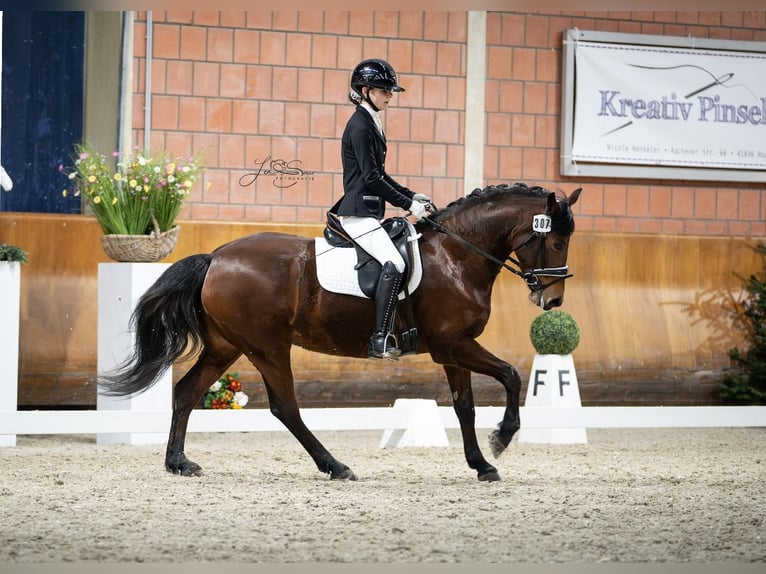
(166, 323)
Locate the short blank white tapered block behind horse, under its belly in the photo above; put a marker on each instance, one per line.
(422, 425)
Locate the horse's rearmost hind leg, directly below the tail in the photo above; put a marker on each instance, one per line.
(186, 395)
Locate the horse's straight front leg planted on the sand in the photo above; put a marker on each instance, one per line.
(462, 401)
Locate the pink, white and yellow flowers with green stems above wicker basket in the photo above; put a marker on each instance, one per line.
(141, 195)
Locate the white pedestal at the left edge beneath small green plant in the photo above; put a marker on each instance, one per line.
(10, 301)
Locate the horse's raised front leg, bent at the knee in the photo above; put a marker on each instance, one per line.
(470, 355)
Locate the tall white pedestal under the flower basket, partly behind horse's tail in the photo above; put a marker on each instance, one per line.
(120, 286)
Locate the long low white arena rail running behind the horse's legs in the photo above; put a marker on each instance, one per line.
(373, 418)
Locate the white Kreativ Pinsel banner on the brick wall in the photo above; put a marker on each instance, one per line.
(647, 105)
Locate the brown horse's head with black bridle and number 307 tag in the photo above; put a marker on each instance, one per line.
(542, 254)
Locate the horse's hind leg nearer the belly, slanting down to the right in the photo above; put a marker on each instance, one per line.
(278, 379)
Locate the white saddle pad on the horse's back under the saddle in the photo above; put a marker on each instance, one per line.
(336, 273)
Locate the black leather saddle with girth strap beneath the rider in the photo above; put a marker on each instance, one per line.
(368, 270)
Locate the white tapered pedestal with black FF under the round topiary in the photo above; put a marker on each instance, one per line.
(552, 383)
